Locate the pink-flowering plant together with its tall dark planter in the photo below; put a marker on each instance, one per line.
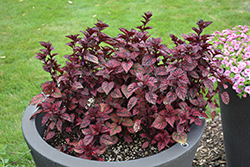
(234, 63)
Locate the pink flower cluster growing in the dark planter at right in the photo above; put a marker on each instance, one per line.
(234, 62)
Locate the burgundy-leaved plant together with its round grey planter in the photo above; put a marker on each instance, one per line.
(128, 89)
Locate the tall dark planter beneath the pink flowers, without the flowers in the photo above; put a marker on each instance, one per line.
(236, 129)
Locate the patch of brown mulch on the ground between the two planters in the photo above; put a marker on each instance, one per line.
(211, 151)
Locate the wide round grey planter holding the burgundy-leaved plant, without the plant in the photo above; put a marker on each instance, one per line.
(46, 156)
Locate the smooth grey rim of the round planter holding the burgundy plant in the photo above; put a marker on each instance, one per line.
(35, 141)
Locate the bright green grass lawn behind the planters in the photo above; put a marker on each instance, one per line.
(23, 23)
